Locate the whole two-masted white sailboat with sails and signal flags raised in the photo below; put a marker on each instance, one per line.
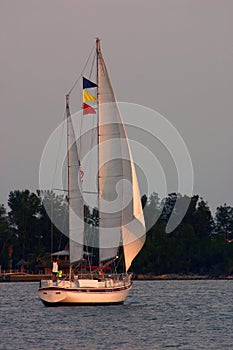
(121, 226)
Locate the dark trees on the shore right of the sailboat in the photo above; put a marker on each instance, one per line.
(196, 246)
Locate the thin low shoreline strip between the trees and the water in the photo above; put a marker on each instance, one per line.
(139, 277)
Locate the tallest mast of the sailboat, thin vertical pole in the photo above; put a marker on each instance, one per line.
(98, 128)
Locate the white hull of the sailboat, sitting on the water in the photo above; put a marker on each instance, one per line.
(69, 294)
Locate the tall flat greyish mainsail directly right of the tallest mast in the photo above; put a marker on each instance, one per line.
(110, 168)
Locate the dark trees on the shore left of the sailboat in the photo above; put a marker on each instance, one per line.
(26, 231)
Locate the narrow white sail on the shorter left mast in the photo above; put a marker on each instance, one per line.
(76, 224)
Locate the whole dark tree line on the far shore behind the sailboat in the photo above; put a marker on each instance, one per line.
(200, 244)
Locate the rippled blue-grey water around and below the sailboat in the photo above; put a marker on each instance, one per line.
(156, 315)
